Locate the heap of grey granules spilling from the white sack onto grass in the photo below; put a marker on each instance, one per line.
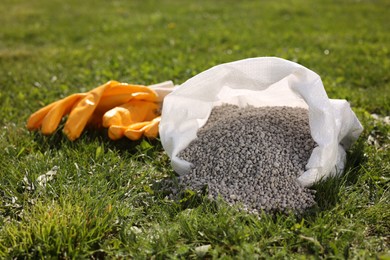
(252, 157)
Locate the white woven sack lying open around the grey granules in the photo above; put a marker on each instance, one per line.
(265, 81)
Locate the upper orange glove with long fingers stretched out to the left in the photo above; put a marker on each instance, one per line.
(84, 108)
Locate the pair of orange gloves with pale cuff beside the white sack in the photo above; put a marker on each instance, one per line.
(126, 110)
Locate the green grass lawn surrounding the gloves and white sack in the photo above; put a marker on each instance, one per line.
(103, 201)
